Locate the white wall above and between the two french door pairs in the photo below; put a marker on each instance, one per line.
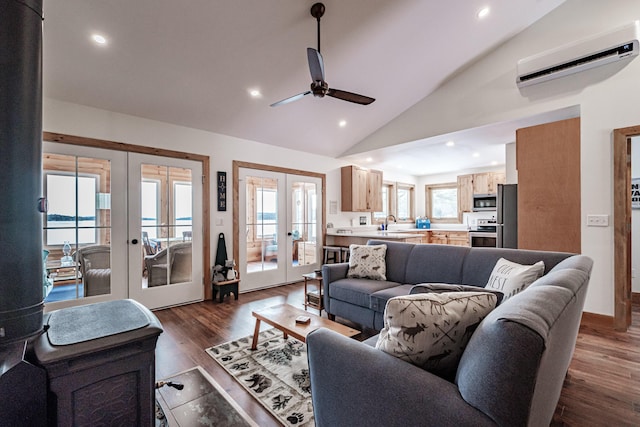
(73, 119)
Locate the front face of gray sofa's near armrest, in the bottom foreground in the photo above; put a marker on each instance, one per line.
(356, 385)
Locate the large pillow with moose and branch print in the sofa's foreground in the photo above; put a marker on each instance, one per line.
(432, 330)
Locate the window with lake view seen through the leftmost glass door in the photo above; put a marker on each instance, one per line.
(68, 214)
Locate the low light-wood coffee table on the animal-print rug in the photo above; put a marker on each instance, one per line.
(283, 317)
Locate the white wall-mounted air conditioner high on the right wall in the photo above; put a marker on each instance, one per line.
(601, 49)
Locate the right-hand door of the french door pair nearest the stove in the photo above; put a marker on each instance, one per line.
(162, 214)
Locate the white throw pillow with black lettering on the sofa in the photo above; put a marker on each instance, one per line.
(510, 278)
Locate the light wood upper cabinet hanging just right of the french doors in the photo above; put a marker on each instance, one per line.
(361, 189)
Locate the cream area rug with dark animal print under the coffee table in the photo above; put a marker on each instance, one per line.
(276, 374)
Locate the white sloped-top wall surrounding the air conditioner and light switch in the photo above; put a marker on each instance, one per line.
(486, 93)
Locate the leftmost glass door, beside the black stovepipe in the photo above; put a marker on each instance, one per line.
(77, 228)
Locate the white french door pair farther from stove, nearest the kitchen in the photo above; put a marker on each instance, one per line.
(280, 223)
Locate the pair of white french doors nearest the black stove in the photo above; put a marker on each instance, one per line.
(99, 206)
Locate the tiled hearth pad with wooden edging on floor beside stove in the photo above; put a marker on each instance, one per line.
(202, 402)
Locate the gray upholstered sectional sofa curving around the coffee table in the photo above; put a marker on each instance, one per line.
(511, 371)
